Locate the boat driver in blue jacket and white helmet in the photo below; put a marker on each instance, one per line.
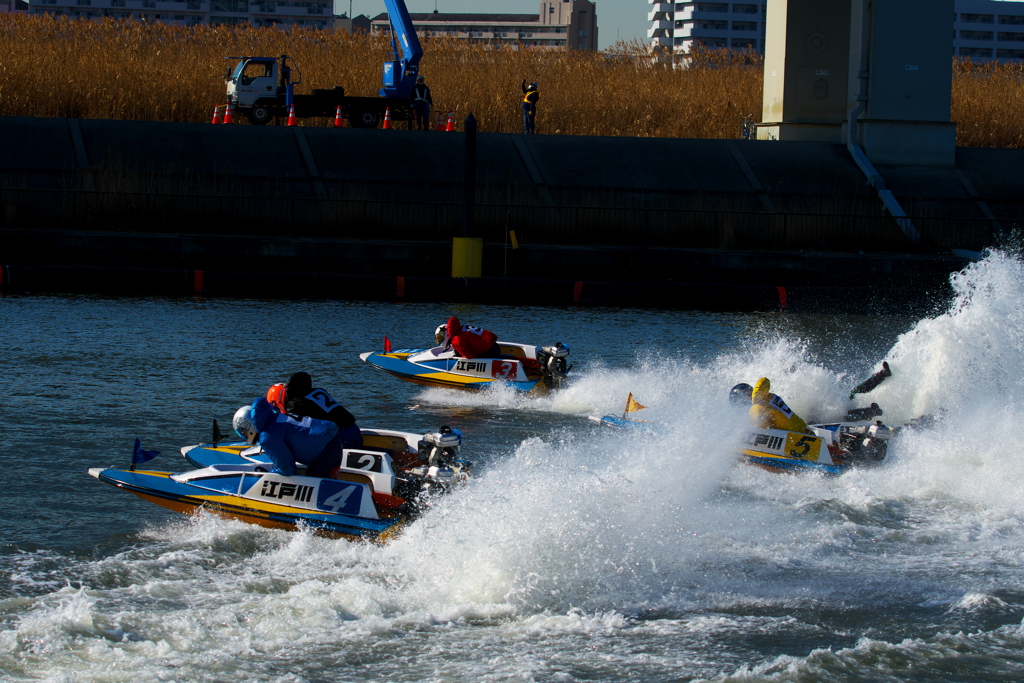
(290, 441)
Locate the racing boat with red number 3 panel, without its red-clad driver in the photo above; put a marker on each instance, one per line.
(523, 367)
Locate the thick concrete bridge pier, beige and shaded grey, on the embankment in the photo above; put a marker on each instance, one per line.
(874, 74)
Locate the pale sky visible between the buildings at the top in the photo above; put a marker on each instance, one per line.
(617, 20)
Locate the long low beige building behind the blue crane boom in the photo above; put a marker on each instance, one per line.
(562, 25)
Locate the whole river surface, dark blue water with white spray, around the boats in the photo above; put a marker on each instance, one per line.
(575, 553)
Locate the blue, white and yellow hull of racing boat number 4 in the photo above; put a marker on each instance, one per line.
(330, 507)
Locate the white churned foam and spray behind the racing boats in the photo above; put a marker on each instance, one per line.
(584, 553)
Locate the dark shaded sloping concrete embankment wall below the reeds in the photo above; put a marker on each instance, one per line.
(386, 204)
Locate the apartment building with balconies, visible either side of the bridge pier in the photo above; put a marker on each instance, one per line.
(982, 29)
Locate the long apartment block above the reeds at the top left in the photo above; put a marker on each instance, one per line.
(191, 13)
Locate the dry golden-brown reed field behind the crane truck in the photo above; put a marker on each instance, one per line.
(62, 68)
